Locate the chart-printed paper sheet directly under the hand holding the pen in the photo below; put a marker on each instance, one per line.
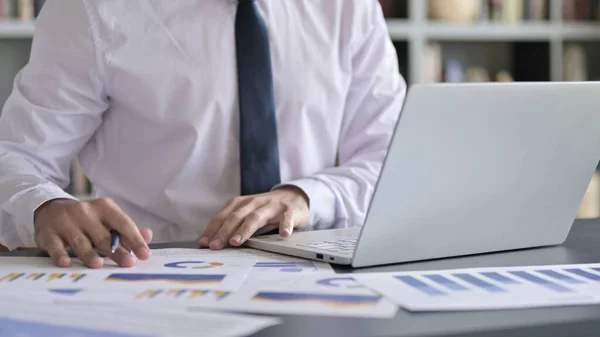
(164, 272)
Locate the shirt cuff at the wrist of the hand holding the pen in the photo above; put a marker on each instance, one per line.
(24, 206)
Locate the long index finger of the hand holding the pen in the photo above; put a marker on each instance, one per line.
(116, 219)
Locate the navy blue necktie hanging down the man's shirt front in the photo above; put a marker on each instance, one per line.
(259, 151)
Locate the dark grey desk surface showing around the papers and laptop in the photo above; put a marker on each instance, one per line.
(582, 246)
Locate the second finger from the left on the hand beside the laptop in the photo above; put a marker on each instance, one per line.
(234, 221)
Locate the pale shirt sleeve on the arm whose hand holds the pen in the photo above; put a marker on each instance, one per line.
(56, 105)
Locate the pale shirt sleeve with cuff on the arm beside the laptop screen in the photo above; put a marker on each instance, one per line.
(340, 196)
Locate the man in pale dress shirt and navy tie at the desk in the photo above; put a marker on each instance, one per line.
(211, 120)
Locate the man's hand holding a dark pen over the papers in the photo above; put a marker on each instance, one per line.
(84, 226)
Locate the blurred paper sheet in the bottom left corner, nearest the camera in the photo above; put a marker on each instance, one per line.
(43, 319)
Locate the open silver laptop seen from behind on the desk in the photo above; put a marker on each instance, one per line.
(472, 168)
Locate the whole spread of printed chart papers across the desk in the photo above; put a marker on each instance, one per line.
(200, 289)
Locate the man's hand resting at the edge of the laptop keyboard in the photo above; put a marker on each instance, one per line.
(286, 208)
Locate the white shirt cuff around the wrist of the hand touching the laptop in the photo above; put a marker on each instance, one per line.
(321, 199)
